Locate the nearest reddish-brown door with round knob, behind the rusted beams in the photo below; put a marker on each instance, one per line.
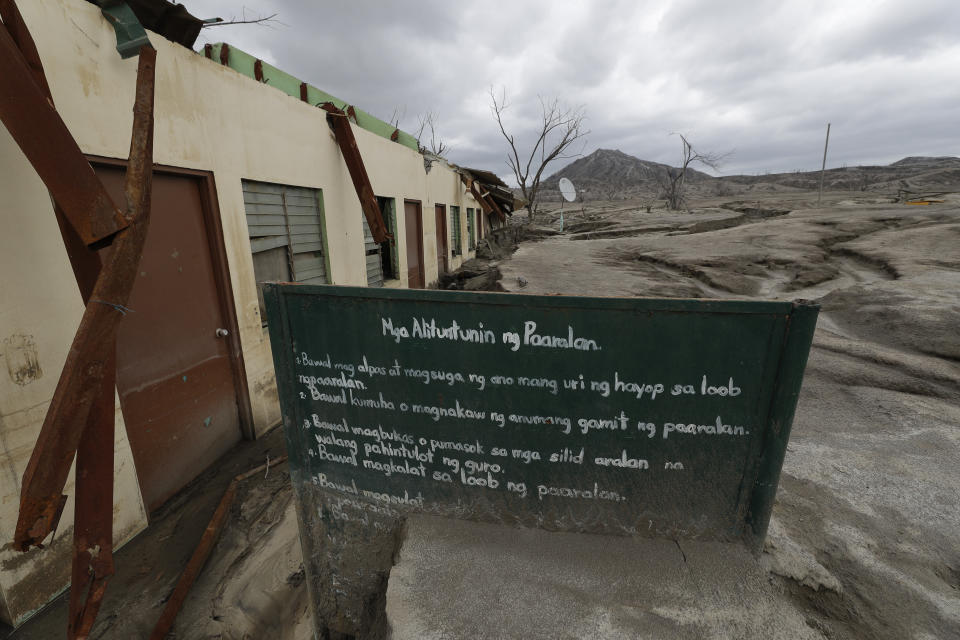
(175, 365)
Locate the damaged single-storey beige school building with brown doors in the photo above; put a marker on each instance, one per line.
(257, 176)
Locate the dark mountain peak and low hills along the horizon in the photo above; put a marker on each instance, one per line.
(609, 174)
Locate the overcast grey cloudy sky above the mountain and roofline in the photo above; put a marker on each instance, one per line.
(760, 78)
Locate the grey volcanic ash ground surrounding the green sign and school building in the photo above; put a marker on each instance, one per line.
(864, 541)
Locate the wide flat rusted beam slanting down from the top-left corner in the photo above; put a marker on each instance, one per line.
(41, 134)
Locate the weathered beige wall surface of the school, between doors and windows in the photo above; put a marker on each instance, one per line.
(208, 117)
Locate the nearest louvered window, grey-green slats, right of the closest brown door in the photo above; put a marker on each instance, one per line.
(285, 224)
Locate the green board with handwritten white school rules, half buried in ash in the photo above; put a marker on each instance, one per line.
(607, 415)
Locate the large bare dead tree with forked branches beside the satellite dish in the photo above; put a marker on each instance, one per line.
(559, 128)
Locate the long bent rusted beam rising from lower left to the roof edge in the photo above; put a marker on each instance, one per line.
(91, 354)
